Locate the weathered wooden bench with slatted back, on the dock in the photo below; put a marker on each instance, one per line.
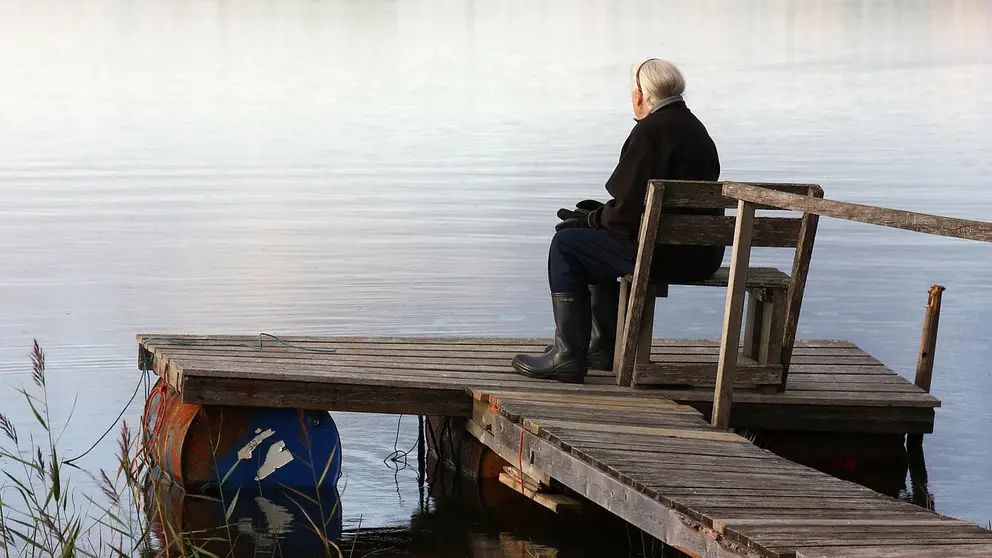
(774, 297)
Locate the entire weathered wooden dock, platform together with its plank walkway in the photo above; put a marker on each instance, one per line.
(647, 455)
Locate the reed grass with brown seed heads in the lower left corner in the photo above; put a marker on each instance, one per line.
(43, 514)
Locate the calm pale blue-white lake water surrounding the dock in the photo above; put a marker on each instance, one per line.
(393, 167)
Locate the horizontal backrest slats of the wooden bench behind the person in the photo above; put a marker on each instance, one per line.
(773, 231)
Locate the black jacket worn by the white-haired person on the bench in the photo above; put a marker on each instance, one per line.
(668, 143)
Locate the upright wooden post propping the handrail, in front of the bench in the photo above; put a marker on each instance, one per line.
(733, 313)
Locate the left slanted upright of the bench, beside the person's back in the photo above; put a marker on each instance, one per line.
(624, 365)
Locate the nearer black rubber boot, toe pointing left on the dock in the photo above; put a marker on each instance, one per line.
(566, 361)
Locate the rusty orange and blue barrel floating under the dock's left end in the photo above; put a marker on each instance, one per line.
(214, 447)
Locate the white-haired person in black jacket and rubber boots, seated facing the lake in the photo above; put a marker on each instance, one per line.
(596, 243)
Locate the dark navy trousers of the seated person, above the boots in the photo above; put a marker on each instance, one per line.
(581, 257)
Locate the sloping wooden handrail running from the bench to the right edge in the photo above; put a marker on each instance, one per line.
(873, 215)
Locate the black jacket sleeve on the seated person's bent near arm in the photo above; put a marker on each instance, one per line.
(628, 185)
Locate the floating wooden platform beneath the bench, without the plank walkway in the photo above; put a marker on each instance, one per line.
(834, 386)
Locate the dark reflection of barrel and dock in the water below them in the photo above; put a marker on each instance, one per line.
(456, 517)
